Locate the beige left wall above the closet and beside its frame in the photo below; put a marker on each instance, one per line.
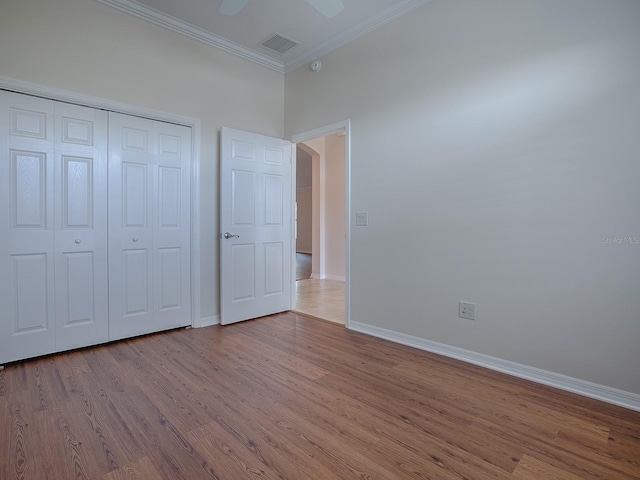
(88, 48)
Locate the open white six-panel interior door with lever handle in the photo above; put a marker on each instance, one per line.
(255, 225)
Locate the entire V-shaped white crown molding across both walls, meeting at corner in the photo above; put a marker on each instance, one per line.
(203, 36)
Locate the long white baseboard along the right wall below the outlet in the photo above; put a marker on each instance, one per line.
(581, 387)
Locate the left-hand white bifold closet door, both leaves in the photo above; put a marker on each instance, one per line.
(53, 255)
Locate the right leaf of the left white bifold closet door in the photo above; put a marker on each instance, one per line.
(81, 286)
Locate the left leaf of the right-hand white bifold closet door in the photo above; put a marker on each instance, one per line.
(131, 158)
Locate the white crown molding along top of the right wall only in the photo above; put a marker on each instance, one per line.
(357, 31)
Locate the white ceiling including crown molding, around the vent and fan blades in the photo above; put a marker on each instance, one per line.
(243, 34)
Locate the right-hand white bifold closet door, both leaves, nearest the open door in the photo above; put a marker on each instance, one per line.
(149, 226)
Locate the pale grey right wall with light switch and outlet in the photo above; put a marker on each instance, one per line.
(494, 144)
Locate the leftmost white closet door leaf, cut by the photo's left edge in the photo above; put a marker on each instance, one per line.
(27, 325)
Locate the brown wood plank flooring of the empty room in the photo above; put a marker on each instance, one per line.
(289, 397)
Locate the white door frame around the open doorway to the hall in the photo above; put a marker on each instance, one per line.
(344, 126)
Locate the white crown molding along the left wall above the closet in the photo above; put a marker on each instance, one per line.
(171, 23)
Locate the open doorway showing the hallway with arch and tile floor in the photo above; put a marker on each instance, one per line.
(322, 213)
